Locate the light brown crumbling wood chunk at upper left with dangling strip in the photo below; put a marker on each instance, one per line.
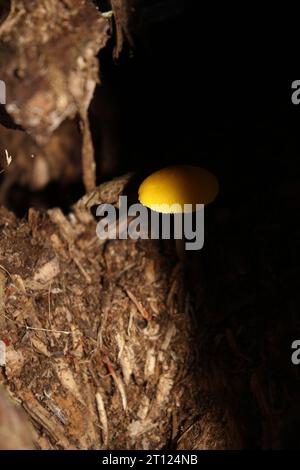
(48, 62)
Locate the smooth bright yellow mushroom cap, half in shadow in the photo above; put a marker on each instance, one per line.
(178, 185)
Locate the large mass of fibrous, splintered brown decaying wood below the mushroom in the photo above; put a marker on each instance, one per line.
(98, 352)
